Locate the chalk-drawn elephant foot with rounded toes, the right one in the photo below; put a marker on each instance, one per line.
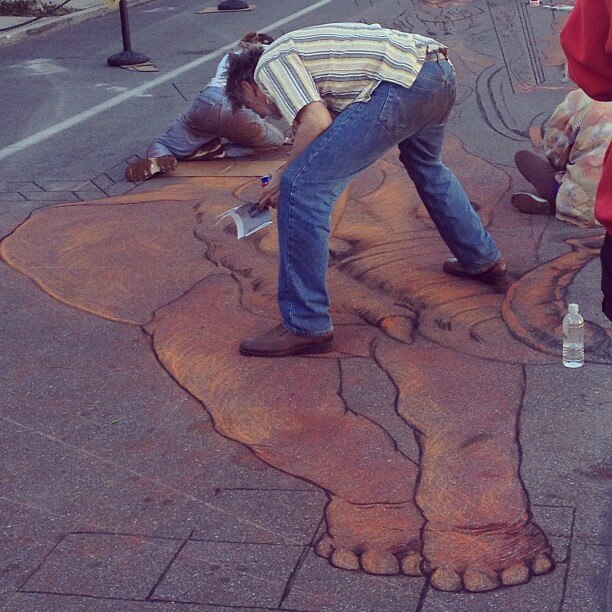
(484, 559)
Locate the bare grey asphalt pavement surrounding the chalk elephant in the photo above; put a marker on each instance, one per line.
(116, 492)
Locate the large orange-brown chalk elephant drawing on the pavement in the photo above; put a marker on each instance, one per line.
(157, 260)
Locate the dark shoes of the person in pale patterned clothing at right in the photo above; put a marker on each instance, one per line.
(542, 175)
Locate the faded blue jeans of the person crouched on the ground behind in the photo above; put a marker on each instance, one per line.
(210, 116)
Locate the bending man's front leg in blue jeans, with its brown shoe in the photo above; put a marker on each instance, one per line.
(310, 185)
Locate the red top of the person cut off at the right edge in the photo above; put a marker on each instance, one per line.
(587, 42)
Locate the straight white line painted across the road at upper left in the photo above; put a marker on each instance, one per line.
(62, 126)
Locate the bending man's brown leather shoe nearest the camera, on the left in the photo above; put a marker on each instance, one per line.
(279, 342)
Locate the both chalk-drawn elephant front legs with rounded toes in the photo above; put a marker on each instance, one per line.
(291, 413)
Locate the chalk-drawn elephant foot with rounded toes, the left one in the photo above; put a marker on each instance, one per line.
(378, 538)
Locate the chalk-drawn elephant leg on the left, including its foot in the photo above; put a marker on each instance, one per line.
(292, 415)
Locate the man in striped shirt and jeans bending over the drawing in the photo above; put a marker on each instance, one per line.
(352, 91)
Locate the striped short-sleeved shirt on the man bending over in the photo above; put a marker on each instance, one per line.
(338, 64)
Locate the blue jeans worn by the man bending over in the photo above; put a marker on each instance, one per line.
(413, 118)
